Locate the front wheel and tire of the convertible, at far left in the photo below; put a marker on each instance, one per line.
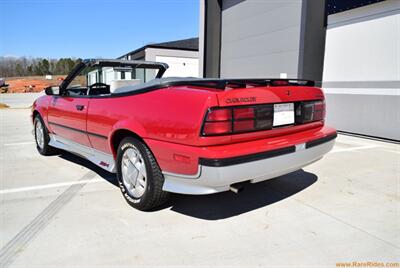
(42, 137)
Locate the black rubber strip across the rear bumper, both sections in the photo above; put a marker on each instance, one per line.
(223, 162)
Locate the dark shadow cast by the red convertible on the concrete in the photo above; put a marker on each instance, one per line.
(222, 205)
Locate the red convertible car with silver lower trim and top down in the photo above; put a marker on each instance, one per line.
(181, 135)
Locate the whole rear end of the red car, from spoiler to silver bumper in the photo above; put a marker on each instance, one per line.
(256, 132)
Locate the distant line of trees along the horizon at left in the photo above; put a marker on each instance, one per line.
(23, 66)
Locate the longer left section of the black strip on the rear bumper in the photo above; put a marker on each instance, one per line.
(245, 158)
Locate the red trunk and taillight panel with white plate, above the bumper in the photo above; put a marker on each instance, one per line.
(251, 111)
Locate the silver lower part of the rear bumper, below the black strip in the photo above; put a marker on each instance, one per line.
(218, 179)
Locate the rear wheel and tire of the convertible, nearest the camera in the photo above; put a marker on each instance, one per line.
(139, 176)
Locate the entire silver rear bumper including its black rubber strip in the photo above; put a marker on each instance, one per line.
(216, 175)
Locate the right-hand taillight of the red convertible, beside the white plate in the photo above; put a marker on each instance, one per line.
(310, 111)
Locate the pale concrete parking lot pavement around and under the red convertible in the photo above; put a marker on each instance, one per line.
(63, 211)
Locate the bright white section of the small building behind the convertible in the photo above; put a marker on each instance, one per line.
(180, 67)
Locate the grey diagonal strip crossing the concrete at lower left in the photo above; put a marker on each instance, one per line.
(20, 241)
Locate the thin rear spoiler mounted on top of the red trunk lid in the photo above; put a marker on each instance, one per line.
(243, 83)
